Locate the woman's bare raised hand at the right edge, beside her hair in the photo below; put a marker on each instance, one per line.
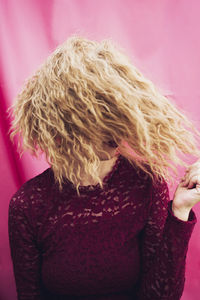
(187, 193)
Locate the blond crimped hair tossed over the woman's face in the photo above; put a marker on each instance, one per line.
(89, 93)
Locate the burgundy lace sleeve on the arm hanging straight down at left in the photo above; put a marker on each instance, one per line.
(24, 253)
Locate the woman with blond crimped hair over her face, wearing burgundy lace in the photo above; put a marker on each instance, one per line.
(99, 224)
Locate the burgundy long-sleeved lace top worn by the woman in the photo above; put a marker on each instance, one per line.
(119, 243)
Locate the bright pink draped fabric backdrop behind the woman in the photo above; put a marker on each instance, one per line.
(162, 37)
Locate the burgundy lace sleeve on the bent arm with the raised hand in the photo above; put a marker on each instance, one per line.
(164, 245)
